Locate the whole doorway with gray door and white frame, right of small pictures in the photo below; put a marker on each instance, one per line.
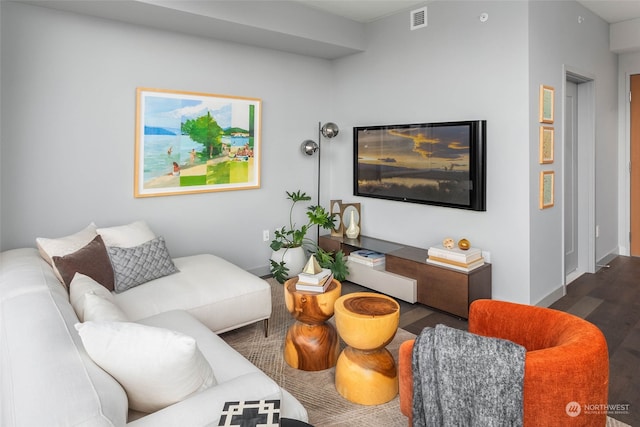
(578, 176)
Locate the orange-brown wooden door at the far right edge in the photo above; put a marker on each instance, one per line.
(634, 213)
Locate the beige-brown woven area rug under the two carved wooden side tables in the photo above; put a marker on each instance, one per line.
(315, 390)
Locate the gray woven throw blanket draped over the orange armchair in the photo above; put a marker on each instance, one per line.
(463, 379)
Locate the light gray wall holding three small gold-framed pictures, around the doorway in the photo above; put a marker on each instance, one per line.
(558, 40)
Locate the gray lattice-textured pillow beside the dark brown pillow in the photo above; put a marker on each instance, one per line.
(140, 264)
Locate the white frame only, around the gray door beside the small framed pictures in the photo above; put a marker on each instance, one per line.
(586, 171)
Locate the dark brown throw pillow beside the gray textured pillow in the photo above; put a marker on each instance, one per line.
(91, 260)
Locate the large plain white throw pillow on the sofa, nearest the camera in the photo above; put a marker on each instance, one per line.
(156, 367)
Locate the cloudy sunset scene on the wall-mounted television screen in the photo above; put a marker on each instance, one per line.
(415, 163)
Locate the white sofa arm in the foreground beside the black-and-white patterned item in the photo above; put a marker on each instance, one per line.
(205, 408)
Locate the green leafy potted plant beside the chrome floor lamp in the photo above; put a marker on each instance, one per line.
(292, 237)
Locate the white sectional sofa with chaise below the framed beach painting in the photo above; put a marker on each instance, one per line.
(49, 376)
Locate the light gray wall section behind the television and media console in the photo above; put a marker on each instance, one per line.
(454, 69)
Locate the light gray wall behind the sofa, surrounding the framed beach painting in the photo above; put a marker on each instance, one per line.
(68, 105)
